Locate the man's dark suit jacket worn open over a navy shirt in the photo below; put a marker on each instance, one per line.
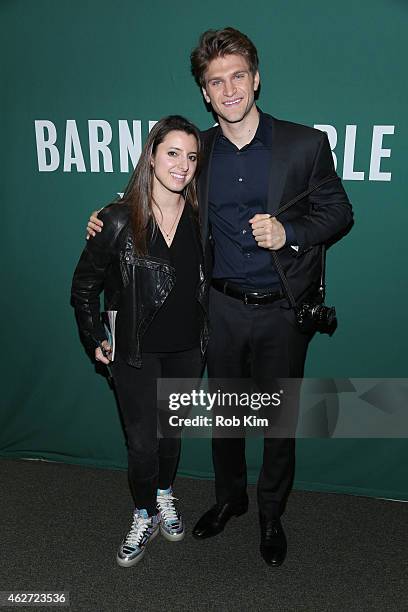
(300, 159)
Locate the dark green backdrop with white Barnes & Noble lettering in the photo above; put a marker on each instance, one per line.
(72, 63)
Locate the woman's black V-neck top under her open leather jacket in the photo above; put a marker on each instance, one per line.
(176, 326)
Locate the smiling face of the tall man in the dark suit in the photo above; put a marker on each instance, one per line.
(230, 87)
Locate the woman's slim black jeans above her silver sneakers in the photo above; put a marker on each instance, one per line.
(152, 460)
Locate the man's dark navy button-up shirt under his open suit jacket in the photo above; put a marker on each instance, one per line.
(238, 190)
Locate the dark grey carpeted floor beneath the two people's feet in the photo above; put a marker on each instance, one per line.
(61, 525)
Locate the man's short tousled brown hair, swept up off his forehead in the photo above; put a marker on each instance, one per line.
(218, 43)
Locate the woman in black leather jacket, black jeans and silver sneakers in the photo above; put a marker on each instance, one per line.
(149, 262)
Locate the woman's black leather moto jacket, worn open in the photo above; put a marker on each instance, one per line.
(137, 286)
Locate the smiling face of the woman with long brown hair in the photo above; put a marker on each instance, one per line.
(175, 162)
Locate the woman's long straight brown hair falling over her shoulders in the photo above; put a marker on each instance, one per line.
(139, 191)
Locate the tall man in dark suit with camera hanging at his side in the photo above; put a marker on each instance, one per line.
(254, 163)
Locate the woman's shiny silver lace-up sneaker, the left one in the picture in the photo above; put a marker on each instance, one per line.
(143, 529)
